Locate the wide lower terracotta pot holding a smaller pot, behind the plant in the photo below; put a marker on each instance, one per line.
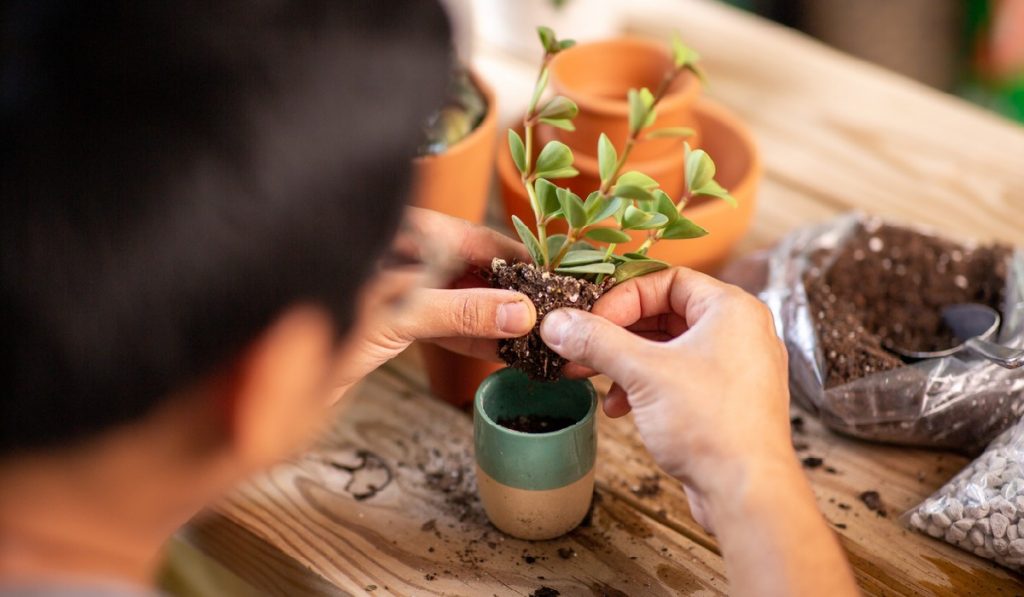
(739, 166)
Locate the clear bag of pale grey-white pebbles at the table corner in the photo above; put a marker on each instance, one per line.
(982, 509)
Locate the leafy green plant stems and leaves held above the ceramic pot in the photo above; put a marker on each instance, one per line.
(625, 201)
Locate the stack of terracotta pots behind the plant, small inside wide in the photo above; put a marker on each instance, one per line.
(598, 77)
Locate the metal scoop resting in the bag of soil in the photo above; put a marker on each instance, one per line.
(975, 326)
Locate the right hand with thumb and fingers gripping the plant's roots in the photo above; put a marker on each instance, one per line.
(699, 364)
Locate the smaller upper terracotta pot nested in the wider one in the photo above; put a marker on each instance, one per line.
(598, 77)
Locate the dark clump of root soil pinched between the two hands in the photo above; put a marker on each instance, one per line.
(548, 292)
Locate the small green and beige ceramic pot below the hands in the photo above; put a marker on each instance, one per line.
(535, 486)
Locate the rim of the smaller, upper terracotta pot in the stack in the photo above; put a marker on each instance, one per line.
(686, 91)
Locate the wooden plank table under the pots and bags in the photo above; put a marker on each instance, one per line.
(386, 504)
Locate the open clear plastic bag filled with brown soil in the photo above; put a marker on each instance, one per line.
(844, 292)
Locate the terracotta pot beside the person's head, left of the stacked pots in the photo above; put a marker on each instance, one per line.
(457, 182)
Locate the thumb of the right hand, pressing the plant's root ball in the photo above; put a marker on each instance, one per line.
(595, 343)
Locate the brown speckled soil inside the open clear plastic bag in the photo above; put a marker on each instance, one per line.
(887, 288)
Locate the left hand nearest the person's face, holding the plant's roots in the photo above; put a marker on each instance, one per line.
(460, 313)
